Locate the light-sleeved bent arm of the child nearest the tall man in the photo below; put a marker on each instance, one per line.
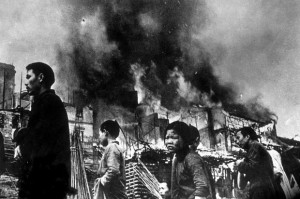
(113, 165)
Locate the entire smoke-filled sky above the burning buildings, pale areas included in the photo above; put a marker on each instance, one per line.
(241, 54)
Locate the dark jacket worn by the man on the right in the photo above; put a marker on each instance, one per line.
(258, 168)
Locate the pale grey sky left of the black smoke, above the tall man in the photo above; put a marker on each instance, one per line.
(30, 30)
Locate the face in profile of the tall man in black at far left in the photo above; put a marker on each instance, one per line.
(32, 83)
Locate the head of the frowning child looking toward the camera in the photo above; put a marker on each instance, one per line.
(177, 136)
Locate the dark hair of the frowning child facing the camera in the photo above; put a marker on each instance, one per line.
(182, 129)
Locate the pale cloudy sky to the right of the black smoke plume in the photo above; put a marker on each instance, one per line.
(255, 44)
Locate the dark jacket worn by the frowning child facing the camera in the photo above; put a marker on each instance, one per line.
(190, 177)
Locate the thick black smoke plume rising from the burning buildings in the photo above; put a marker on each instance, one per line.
(155, 34)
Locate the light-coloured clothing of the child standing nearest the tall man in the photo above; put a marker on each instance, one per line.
(112, 172)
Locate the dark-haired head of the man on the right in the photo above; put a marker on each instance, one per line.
(244, 135)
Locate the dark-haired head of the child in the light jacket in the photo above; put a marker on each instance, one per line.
(108, 130)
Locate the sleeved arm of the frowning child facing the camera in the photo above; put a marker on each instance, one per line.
(200, 179)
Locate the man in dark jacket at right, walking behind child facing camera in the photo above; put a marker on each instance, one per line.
(257, 165)
